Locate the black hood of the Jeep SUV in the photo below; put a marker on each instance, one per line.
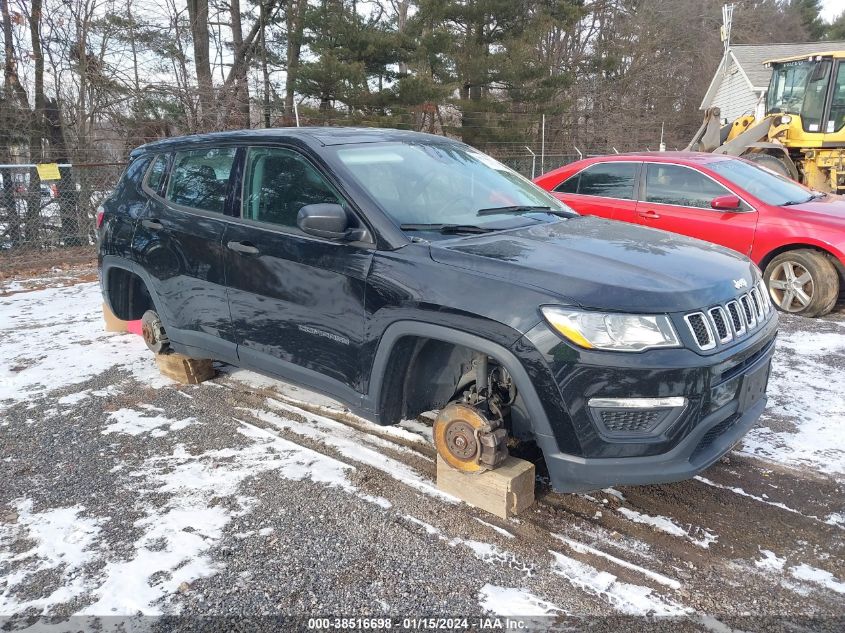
(596, 263)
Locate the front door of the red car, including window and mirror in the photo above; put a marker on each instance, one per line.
(678, 198)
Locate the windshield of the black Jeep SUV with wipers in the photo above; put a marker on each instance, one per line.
(446, 184)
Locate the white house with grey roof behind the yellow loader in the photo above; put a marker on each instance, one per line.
(741, 80)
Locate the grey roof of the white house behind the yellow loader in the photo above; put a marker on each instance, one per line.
(751, 57)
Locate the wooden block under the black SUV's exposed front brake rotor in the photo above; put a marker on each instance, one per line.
(505, 491)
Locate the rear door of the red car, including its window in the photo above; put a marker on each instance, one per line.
(608, 190)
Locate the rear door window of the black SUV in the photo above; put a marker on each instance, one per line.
(200, 179)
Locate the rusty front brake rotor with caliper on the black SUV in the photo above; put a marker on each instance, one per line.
(467, 440)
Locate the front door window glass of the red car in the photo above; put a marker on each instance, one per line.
(681, 186)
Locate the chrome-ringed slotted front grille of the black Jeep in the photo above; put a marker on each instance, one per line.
(724, 323)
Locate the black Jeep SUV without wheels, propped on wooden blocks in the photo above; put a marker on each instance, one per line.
(403, 272)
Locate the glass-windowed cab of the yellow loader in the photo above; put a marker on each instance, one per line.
(810, 94)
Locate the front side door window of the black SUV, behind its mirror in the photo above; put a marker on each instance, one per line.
(278, 183)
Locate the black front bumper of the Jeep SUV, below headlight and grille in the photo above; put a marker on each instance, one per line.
(581, 459)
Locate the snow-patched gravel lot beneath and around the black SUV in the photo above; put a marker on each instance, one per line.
(125, 494)
